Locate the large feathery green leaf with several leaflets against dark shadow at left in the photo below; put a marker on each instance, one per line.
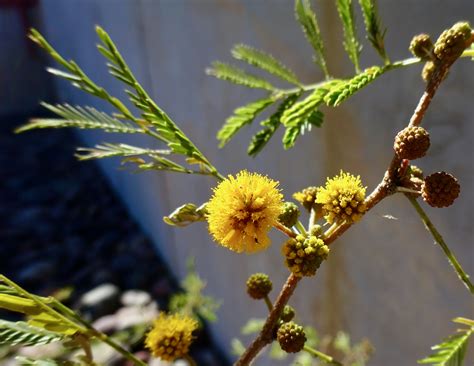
(153, 120)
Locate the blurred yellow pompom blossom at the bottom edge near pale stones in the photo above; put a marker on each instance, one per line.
(171, 336)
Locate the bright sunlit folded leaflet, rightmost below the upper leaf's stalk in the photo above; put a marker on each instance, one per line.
(344, 89)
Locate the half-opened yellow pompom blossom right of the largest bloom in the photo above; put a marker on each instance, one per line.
(342, 198)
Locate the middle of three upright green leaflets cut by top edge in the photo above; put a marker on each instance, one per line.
(351, 44)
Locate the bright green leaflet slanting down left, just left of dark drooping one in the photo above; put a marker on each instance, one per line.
(242, 116)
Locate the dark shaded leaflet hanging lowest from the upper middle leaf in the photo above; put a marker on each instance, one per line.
(271, 124)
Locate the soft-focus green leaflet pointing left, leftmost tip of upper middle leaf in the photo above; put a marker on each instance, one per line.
(238, 76)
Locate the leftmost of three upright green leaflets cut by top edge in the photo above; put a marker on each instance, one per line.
(309, 23)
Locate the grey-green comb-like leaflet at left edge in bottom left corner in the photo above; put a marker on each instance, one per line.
(21, 333)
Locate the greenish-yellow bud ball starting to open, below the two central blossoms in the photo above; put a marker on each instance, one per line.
(304, 254)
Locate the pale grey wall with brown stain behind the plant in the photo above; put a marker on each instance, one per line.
(385, 279)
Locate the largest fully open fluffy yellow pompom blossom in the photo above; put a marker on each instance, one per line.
(242, 211)
